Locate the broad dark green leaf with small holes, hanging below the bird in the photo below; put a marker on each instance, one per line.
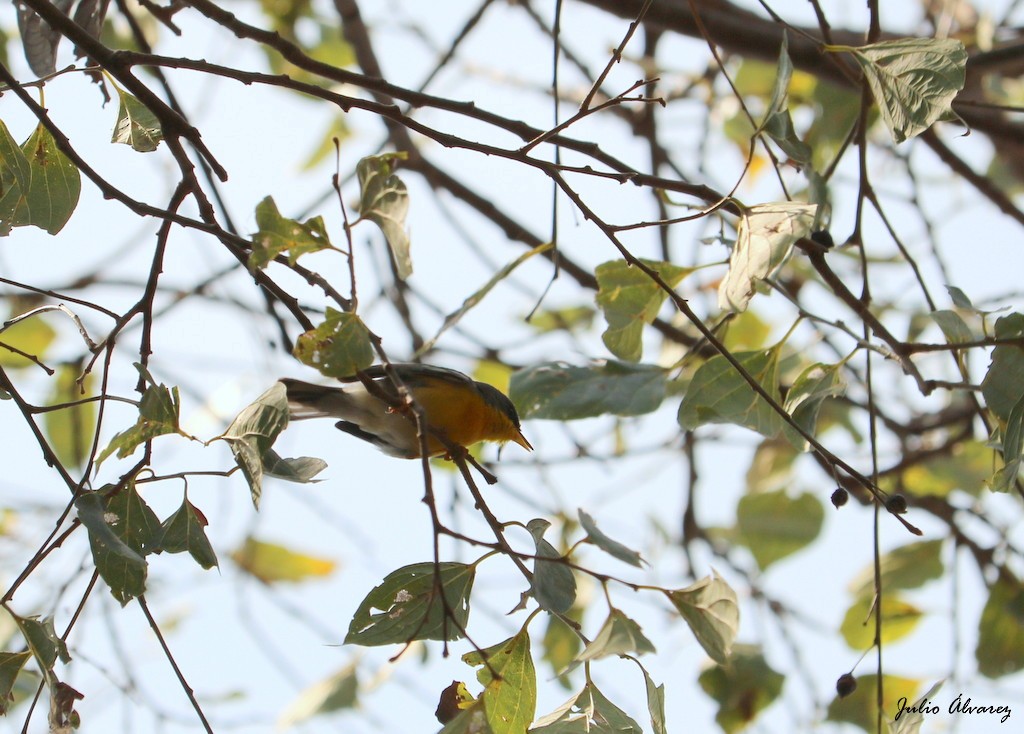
(409, 607)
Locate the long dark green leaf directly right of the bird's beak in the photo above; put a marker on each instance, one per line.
(562, 393)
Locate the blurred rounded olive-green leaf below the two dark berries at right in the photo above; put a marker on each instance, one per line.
(775, 526)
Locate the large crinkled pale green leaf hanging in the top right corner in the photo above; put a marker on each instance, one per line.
(914, 80)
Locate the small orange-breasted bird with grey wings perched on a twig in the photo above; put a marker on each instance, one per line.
(463, 411)
